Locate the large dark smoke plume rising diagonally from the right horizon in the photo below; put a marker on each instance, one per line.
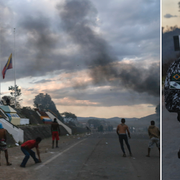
(78, 18)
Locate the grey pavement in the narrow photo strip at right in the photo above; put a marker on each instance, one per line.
(171, 145)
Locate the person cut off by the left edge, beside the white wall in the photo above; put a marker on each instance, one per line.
(3, 147)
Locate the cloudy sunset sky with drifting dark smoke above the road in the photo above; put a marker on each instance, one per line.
(94, 58)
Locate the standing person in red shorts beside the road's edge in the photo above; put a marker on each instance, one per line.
(55, 131)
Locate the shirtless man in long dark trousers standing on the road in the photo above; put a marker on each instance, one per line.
(121, 131)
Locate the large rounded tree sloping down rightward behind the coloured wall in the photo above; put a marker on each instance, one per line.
(44, 103)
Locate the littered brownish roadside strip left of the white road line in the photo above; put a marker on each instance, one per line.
(15, 172)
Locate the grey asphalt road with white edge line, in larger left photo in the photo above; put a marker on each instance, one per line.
(99, 157)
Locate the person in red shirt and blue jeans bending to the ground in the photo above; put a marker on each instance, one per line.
(26, 148)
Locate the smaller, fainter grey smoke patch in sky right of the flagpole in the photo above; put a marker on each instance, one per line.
(40, 36)
